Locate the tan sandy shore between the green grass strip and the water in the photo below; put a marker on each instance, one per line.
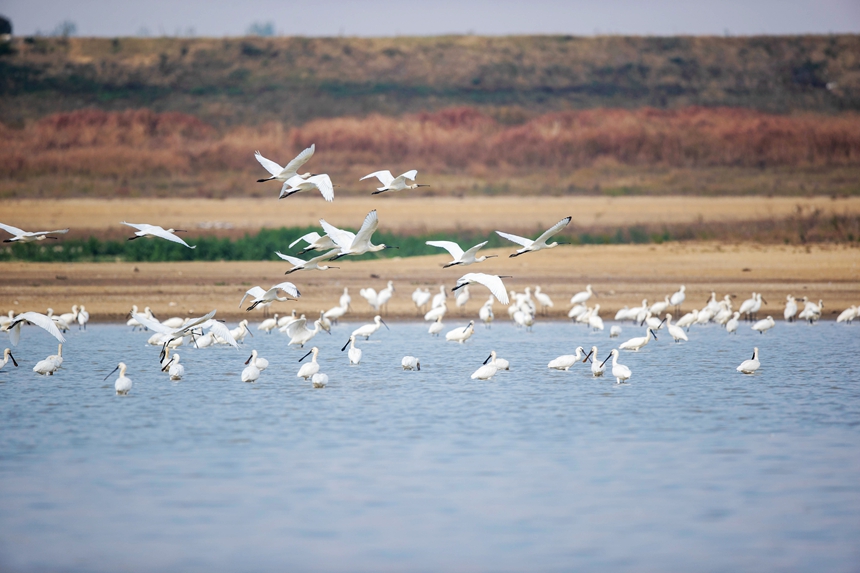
(621, 274)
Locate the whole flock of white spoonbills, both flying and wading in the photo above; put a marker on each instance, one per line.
(335, 243)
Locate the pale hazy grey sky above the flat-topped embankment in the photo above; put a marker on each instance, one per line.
(414, 17)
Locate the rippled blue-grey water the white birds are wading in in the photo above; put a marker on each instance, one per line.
(691, 466)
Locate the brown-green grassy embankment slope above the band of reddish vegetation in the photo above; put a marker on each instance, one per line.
(255, 80)
